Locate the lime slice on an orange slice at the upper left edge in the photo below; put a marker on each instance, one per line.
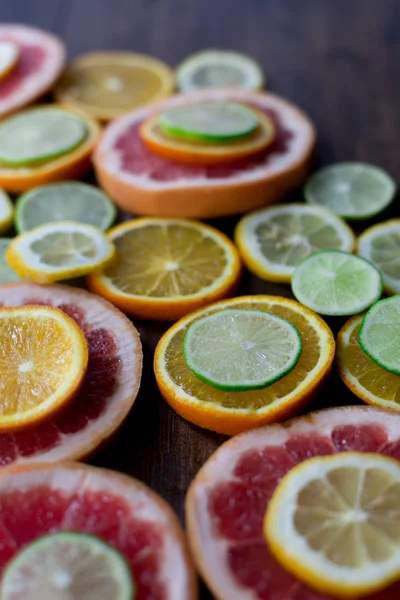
(39, 135)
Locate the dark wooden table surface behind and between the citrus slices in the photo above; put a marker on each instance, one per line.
(338, 59)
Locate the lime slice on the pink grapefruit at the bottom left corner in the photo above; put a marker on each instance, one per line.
(68, 565)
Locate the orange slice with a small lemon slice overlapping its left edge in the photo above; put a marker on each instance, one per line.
(166, 268)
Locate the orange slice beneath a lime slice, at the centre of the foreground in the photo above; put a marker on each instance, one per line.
(232, 412)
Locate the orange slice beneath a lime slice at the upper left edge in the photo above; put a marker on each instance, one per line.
(71, 165)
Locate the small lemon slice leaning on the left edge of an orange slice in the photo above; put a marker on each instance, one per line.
(57, 251)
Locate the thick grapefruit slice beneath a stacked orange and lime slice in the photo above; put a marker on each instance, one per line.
(147, 184)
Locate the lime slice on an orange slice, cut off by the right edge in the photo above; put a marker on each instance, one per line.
(379, 334)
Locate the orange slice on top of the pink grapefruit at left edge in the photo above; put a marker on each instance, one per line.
(43, 361)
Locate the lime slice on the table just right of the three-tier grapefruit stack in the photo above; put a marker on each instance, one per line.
(351, 190)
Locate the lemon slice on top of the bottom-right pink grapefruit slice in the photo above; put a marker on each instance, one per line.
(334, 522)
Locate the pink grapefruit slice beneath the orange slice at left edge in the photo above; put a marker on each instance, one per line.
(99, 316)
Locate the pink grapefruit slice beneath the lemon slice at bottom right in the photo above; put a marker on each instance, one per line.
(210, 548)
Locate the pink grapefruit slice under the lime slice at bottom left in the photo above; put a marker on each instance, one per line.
(44, 499)
